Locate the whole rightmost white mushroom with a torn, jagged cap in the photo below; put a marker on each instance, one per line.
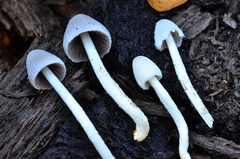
(168, 35)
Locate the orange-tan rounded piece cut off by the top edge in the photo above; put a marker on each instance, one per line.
(165, 5)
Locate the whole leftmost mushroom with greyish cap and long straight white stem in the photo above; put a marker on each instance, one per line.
(45, 70)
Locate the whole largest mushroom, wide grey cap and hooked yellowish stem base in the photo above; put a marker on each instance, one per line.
(87, 39)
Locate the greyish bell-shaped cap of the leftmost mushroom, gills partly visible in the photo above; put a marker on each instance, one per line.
(36, 61)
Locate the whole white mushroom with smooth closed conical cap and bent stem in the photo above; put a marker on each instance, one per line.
(148, 74)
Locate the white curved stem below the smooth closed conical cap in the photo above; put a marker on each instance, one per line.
(176, 115)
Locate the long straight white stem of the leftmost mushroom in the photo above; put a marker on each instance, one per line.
(79, 114)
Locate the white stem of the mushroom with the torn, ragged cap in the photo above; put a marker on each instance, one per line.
(185, 82)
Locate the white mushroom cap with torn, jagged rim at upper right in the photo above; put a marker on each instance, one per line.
(162, 29)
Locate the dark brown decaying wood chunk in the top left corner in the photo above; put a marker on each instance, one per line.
(29, 18)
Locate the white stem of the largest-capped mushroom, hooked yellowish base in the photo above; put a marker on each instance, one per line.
(112, 88)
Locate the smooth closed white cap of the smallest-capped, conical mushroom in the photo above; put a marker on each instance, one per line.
(144, 69)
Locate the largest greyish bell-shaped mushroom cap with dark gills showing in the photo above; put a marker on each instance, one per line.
(72, 42)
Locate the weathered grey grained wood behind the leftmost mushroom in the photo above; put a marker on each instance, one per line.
(29, 119)
